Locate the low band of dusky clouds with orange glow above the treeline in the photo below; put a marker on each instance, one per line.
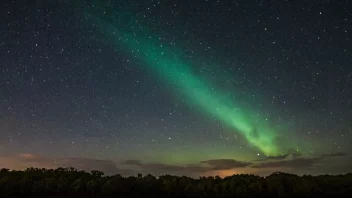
(133, 167)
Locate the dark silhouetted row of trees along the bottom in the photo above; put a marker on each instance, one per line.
(68, 182)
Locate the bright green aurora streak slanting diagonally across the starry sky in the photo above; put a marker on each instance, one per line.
(168, 64)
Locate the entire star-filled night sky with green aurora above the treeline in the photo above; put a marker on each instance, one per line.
(201, 87)
